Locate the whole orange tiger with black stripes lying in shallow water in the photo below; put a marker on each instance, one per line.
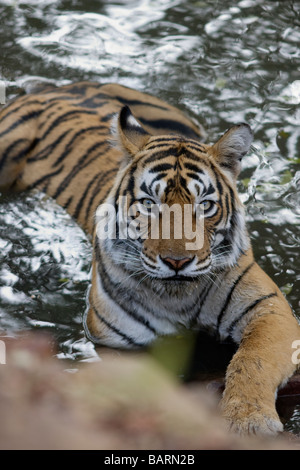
(88, 145)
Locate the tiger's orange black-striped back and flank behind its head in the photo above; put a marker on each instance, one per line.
(59, 141)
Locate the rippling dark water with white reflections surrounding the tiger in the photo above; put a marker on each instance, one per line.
(222, 62)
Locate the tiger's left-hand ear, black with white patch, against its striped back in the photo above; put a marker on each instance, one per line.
(132, 136)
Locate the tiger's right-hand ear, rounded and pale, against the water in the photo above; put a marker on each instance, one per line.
(232, 147)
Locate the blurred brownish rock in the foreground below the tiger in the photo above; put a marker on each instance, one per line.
(122, 402)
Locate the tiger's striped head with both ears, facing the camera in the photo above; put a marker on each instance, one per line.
(183, 195)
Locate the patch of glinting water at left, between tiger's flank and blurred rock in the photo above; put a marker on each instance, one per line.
(44, 272)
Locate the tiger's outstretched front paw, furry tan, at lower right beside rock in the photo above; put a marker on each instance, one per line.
(264, 422)
